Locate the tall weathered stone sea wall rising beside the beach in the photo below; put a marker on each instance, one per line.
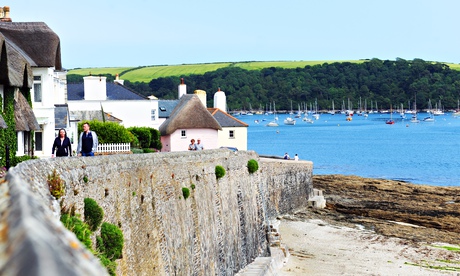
(218, 230)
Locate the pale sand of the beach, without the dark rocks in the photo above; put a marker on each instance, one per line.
(319, 248)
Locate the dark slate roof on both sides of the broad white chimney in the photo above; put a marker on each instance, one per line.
(115, 91)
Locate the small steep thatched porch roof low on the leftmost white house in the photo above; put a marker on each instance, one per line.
(23, 114)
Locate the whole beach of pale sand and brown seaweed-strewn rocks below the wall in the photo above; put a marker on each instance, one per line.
(360, 234)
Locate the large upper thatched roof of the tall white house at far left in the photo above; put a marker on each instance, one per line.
(26, 44)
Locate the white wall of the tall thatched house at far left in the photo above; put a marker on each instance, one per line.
(47, 85)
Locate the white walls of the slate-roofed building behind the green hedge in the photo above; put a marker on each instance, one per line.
(132, 112)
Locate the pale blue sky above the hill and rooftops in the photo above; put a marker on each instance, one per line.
(103, 33)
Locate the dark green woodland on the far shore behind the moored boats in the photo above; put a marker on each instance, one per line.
(388, 83)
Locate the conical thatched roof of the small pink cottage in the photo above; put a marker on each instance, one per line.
(189, 113)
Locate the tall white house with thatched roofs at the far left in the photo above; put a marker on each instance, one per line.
(33, 65)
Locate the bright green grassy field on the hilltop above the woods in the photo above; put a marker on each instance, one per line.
(147, 73)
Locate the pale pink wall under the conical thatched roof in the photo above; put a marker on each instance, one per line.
(177, 142)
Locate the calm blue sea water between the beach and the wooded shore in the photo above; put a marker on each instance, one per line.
(423, 153)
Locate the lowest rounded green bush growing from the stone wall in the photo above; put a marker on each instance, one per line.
(112, 241)
